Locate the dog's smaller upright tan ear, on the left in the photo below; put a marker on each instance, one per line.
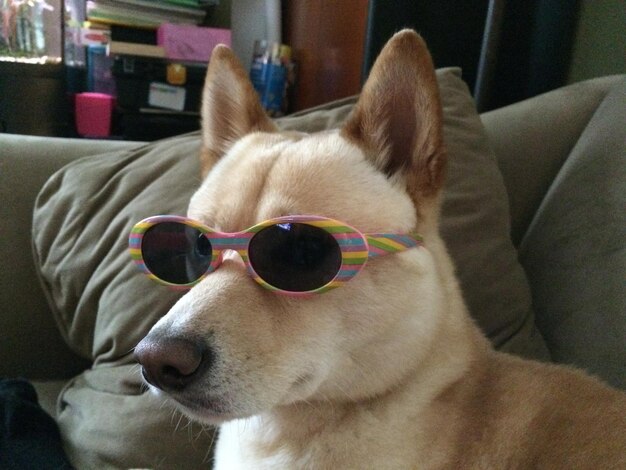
(230, 107)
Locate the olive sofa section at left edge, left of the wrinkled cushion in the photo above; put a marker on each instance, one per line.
(30, 344)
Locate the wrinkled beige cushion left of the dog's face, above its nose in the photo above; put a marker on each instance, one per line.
(81, 225)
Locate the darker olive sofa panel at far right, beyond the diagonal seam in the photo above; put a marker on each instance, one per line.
(574, 250)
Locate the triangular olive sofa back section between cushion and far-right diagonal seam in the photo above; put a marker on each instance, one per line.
(533, 138)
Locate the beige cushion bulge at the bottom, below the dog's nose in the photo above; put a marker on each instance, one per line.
(108, 420)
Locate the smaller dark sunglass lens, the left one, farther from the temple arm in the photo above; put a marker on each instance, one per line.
(175, 252)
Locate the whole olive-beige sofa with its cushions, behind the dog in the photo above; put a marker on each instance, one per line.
(533, 214)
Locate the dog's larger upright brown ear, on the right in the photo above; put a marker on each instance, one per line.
(398, 118)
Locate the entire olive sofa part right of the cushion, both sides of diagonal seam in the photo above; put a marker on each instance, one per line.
(563, 158)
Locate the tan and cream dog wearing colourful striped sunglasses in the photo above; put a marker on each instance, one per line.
(382, 369)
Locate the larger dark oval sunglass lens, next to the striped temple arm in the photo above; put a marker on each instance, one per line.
(295, 257)
